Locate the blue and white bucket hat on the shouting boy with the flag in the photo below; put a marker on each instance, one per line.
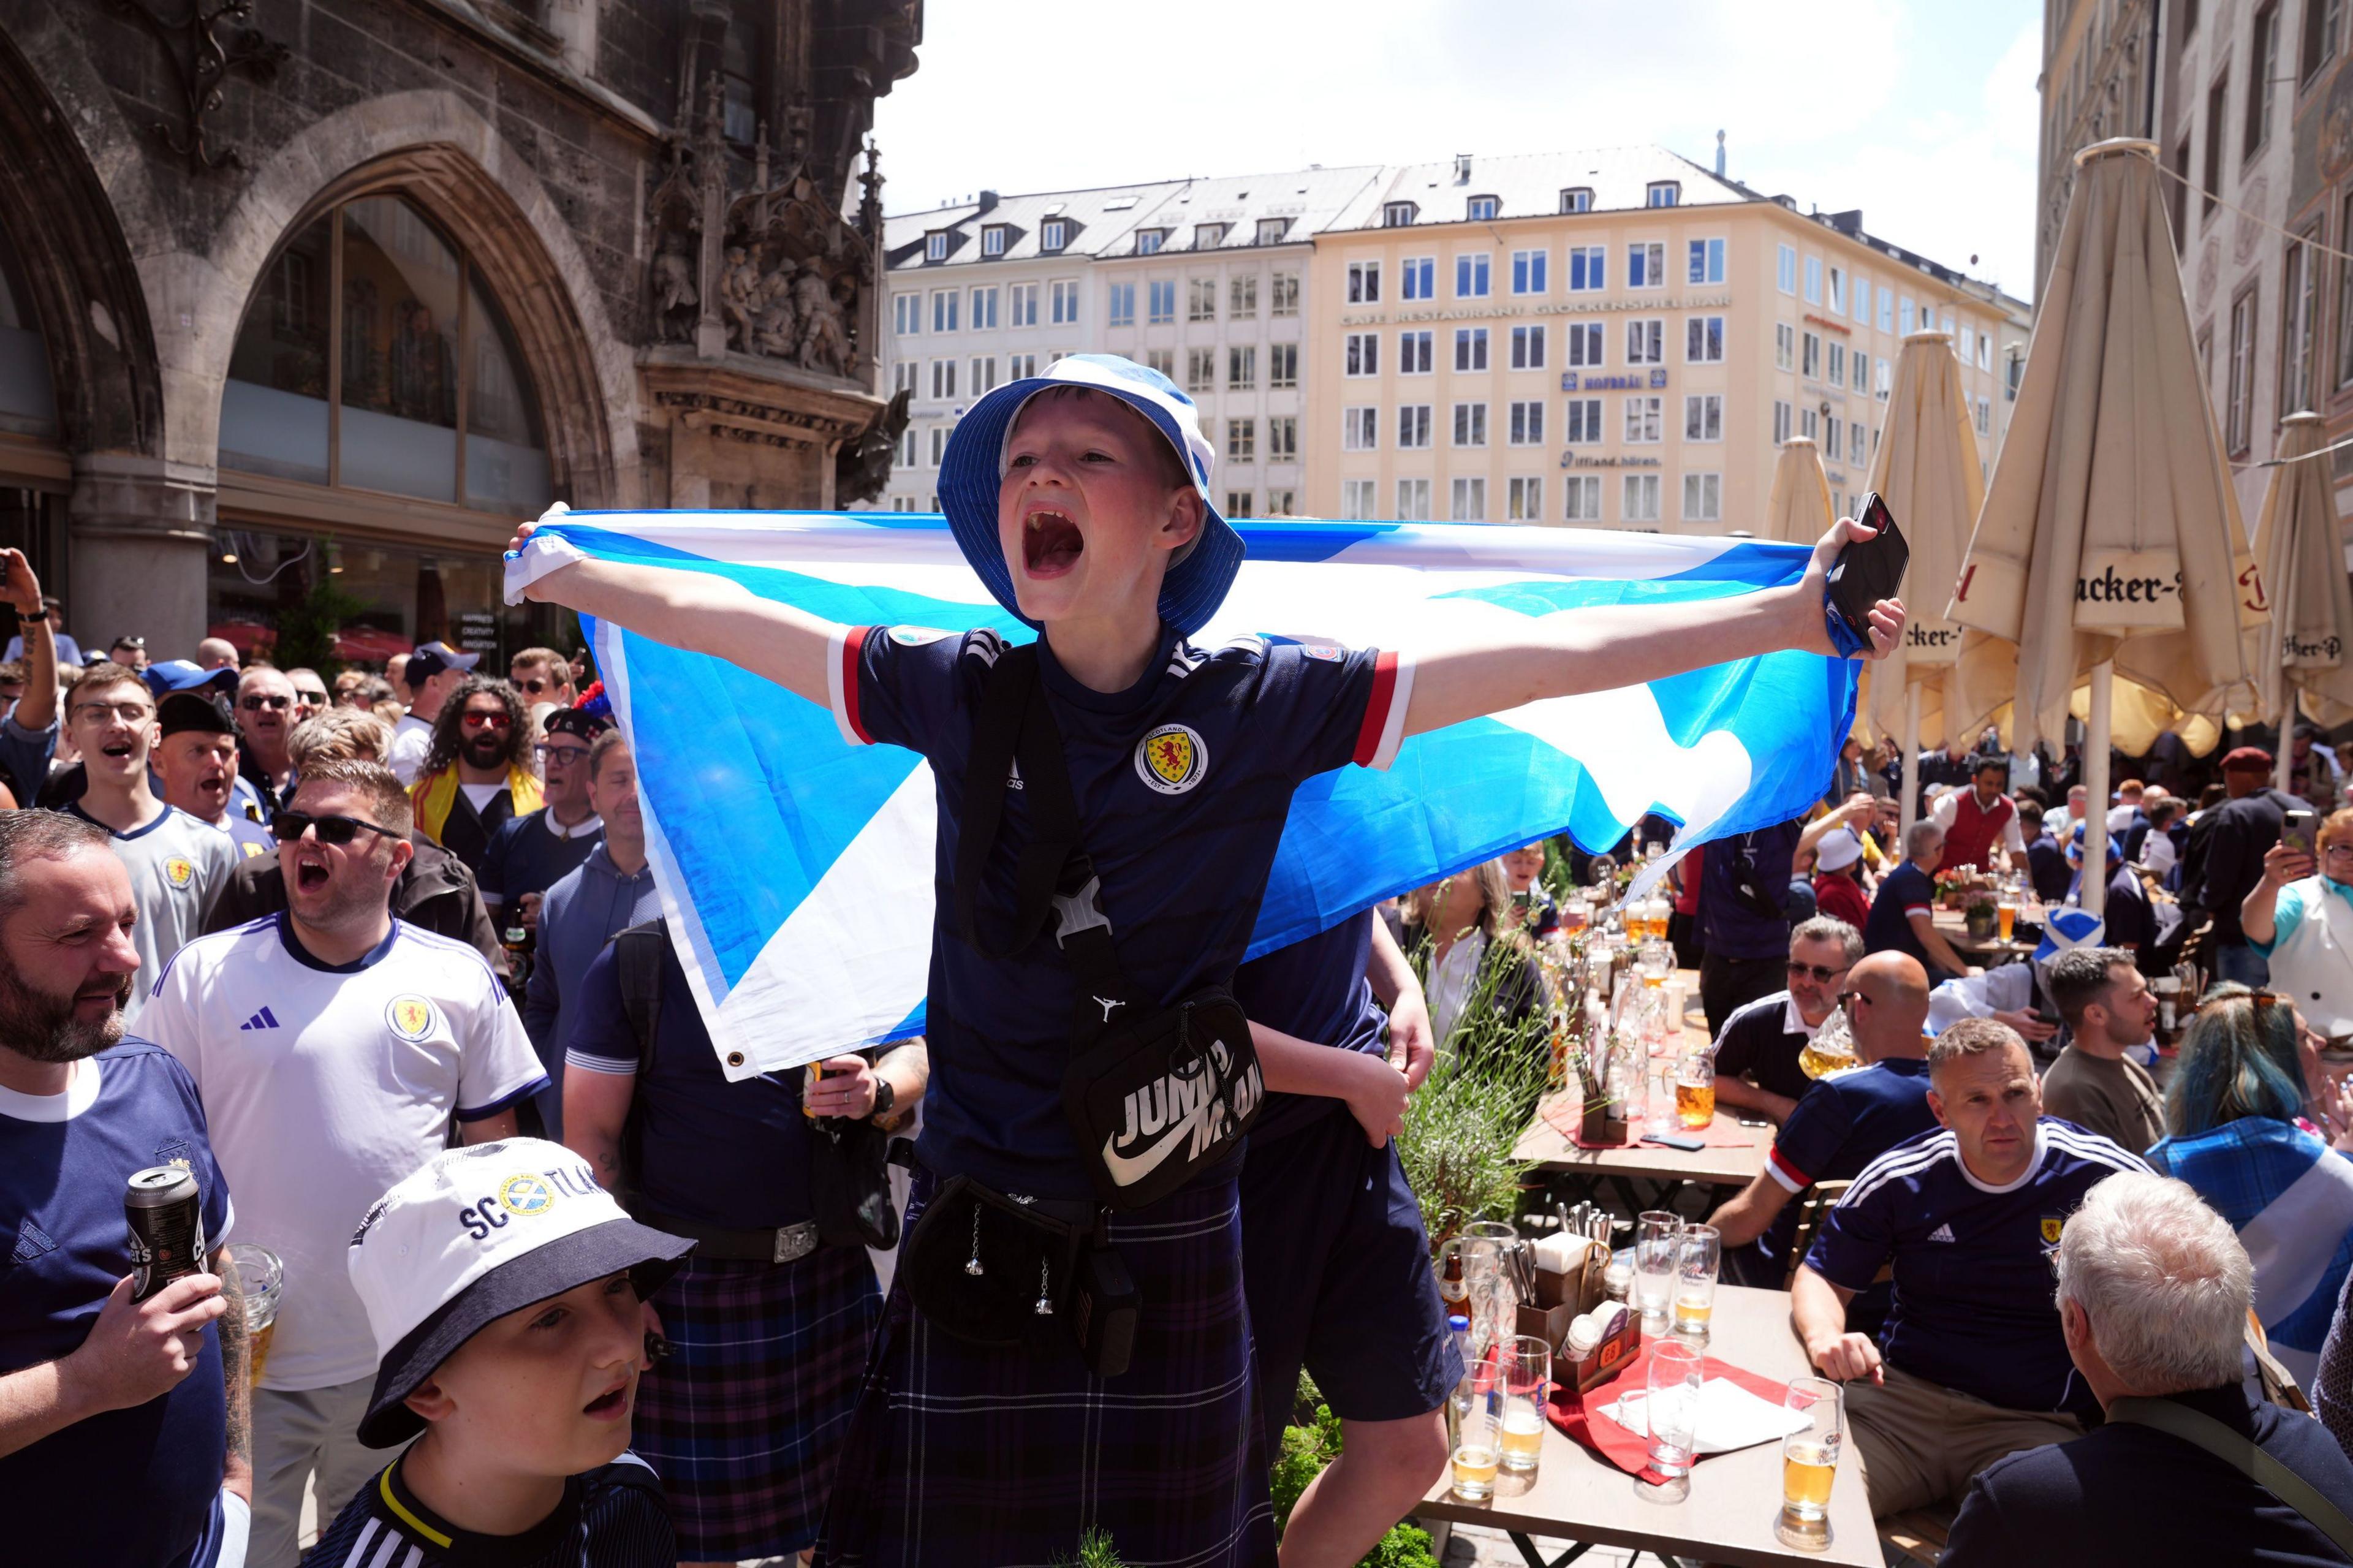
(975, 465)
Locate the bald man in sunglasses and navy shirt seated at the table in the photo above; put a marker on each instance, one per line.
(1839, 1127)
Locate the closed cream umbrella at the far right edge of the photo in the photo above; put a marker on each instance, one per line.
(2312, 604)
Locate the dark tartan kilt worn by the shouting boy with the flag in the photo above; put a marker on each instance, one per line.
(973, 1459)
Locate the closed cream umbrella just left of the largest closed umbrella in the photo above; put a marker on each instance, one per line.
(1926, 470)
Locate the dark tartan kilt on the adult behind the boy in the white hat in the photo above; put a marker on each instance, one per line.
(745, 1421)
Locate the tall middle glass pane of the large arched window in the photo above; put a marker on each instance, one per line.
(401, 298)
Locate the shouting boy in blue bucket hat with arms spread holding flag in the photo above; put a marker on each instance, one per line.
(1084, 500)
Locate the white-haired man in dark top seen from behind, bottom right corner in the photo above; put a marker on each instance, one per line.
(2154, 1294)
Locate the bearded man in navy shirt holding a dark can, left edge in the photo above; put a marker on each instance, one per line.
(124, 1426)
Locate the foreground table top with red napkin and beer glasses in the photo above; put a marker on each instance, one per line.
(1735, 1499)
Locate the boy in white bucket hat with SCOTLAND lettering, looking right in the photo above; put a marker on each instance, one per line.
(507, 1296)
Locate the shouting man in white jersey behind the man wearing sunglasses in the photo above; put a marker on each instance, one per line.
(178, 863)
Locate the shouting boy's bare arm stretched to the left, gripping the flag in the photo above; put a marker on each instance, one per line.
(698, 613)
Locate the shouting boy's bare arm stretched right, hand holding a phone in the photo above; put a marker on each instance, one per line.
(1597, 651)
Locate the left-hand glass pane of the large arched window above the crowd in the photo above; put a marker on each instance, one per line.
(274, 408)
